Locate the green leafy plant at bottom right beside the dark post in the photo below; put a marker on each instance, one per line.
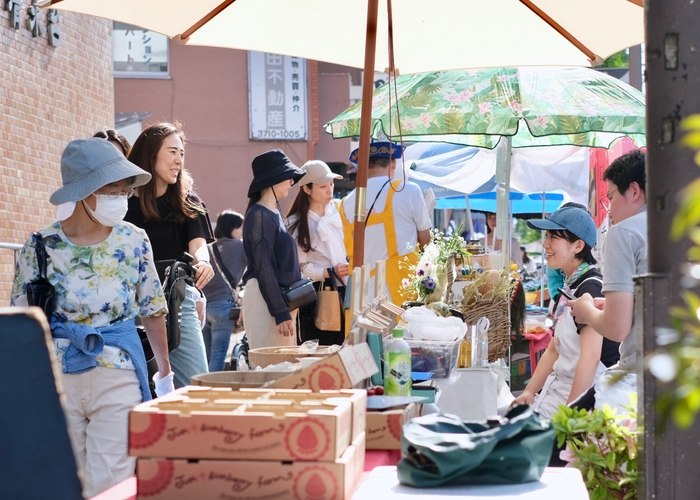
(603, 446)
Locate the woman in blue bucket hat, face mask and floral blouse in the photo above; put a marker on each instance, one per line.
(104, 276)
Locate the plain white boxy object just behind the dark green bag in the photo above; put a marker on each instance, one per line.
(474, 393)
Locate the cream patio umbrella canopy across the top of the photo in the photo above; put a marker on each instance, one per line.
(428, 35)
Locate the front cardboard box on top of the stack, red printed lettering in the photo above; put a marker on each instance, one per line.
(235, 429)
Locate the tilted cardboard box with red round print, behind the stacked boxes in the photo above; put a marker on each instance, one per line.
(342, 370)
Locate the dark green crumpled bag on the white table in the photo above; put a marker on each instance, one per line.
(443, 449)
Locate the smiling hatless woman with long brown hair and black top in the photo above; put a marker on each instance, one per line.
(176, 221)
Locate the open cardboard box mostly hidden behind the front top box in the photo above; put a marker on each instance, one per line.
(356, 397)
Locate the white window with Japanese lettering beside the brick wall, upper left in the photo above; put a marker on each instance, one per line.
(139, 53)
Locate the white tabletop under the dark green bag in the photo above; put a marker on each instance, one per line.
(556, 484)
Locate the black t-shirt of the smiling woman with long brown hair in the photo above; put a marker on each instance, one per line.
(168, 238)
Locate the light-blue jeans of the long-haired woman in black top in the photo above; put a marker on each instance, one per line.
(190, 357)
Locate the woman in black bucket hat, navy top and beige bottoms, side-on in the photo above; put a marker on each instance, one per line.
(270, 251)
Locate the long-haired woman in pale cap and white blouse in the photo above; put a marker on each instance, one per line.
(316, 225)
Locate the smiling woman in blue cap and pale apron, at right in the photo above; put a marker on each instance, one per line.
(577, 353)
